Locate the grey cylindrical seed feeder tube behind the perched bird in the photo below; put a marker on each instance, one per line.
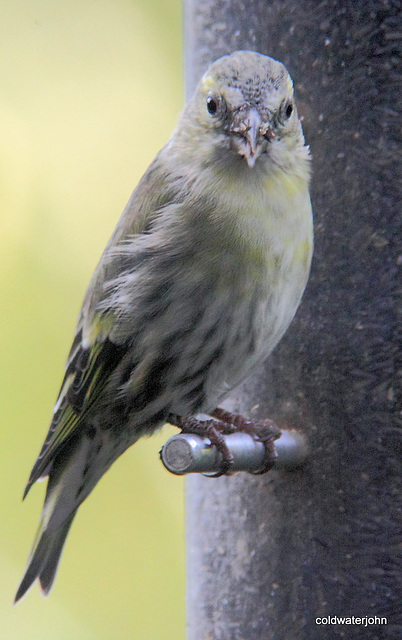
(268, 555)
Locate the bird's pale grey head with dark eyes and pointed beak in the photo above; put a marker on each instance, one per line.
(244, 103)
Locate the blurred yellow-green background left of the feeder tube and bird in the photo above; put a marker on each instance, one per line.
(89, 93)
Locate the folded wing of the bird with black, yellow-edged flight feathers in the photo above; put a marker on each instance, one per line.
(96, 351)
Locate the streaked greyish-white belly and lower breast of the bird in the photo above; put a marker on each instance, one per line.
(231, 305)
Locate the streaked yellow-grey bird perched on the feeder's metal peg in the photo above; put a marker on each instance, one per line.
(198, 283)
